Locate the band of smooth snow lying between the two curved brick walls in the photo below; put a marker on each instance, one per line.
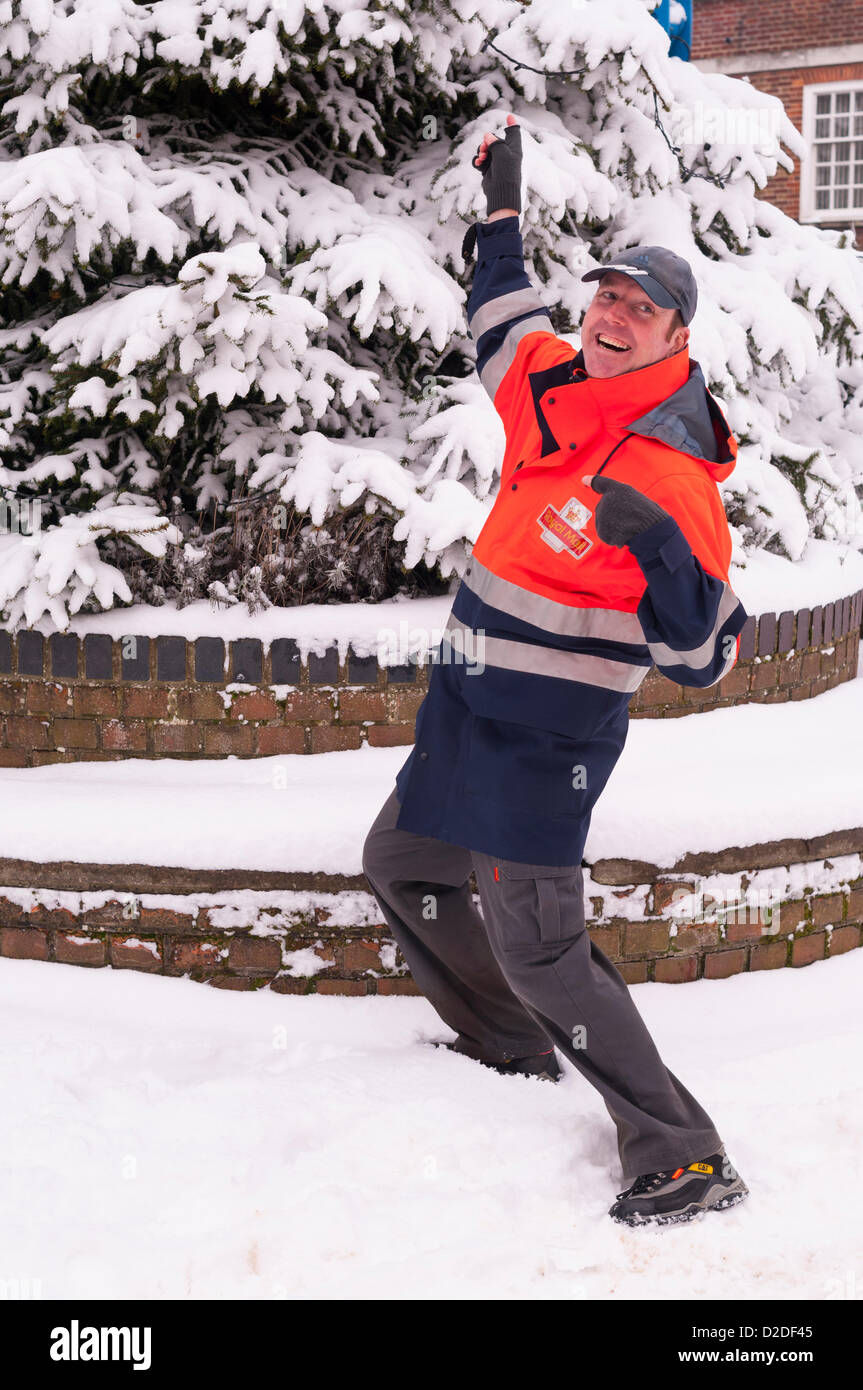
(729, 778)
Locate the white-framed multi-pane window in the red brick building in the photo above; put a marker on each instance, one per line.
(832, 176)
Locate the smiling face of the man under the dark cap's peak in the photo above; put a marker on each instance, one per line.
(623, 312)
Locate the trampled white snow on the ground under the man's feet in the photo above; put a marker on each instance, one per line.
(255, 1146)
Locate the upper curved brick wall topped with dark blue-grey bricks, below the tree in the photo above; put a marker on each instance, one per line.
(69, 698)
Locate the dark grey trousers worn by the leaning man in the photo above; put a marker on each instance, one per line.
(526, 976)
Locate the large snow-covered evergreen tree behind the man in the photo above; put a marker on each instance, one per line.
(234, 355)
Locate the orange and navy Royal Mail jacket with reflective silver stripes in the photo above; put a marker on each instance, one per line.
(552, 630)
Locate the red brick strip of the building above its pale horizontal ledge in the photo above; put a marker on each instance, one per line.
(723, 27)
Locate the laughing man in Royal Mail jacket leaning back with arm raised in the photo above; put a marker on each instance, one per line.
(607, 553)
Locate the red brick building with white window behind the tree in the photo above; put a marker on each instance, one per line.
(809, 54)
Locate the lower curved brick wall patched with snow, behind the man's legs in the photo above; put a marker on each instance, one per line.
(290, 932)
